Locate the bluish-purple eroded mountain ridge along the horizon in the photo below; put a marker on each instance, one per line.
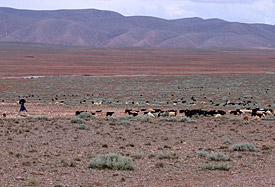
(98, 28)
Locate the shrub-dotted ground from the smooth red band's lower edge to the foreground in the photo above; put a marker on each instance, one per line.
(47, 149)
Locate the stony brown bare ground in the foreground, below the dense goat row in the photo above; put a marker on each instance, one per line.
(52, 151)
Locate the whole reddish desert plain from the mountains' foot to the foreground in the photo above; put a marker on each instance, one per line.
(47, 146)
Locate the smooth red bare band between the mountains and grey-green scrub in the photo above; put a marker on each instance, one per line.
(134, 62)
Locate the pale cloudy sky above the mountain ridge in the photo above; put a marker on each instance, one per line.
(247, 11)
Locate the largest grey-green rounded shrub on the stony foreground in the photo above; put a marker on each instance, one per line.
(112, 161)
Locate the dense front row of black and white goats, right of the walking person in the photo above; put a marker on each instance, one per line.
(256, 112)
